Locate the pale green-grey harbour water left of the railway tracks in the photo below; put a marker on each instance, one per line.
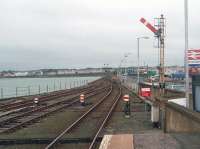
(13, 87)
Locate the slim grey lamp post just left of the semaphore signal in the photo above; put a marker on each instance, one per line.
(138, 60)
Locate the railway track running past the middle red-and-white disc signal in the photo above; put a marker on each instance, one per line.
(22, 118)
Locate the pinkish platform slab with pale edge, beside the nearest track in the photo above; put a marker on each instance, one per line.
(119, 141)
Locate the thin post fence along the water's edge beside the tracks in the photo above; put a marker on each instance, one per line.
(33, 90)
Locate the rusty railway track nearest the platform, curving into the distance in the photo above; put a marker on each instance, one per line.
(99, 113)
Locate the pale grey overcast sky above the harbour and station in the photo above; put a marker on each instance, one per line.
(38, 34)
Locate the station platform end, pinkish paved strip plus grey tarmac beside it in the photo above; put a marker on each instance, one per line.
(152, 139)
